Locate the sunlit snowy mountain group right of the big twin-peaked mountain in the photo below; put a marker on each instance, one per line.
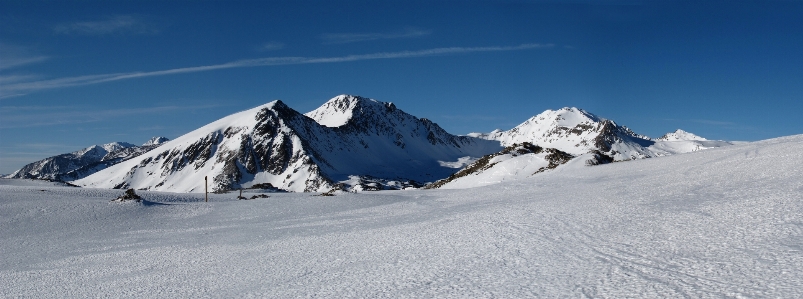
(587, 138)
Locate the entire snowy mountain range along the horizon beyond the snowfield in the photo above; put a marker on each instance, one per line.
(354, 143)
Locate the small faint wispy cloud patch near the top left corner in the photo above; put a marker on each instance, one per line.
(128, 24)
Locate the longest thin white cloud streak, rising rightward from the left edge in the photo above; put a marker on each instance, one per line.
(22, 87)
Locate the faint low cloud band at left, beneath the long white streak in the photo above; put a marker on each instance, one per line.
(37, 116)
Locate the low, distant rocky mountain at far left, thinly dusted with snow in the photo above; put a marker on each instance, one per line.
(79, 164)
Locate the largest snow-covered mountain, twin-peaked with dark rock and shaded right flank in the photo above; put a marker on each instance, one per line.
(346, 141)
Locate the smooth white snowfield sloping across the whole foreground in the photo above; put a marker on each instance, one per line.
(725, 222)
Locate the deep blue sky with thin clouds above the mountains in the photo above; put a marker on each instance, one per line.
(79, 73)
